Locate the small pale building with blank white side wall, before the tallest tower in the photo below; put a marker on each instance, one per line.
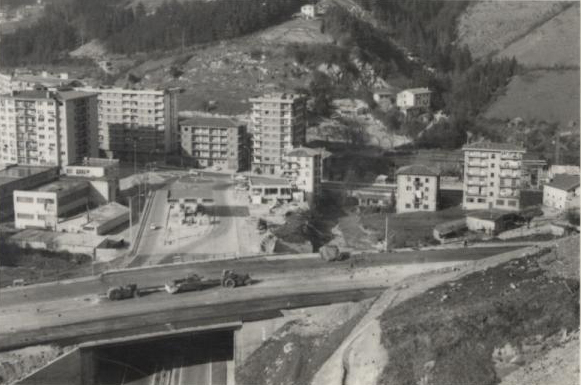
(303, 167)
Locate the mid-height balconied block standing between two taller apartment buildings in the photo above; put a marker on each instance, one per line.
(214, 141)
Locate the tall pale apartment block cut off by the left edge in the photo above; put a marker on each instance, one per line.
(48, 128)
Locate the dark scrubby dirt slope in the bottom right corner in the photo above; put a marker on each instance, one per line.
(486, 325)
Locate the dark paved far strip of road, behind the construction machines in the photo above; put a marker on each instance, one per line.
(259, 268)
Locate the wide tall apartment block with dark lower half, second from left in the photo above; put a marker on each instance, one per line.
(140, 121)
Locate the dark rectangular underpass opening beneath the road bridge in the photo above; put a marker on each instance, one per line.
(192, 358)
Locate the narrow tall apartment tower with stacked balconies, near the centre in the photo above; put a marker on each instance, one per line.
(278, 125)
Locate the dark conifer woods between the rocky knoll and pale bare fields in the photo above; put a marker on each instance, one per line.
(462, 87)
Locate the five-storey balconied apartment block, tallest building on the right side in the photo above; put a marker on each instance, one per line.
(492, 176)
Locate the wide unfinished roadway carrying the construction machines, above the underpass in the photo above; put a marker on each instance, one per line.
(74, 312)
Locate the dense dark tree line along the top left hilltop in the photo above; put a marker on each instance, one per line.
(69, 23)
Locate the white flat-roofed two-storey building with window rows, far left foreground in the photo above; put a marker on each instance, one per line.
(41, 208)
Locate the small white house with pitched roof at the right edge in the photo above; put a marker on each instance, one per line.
(562, 193)
